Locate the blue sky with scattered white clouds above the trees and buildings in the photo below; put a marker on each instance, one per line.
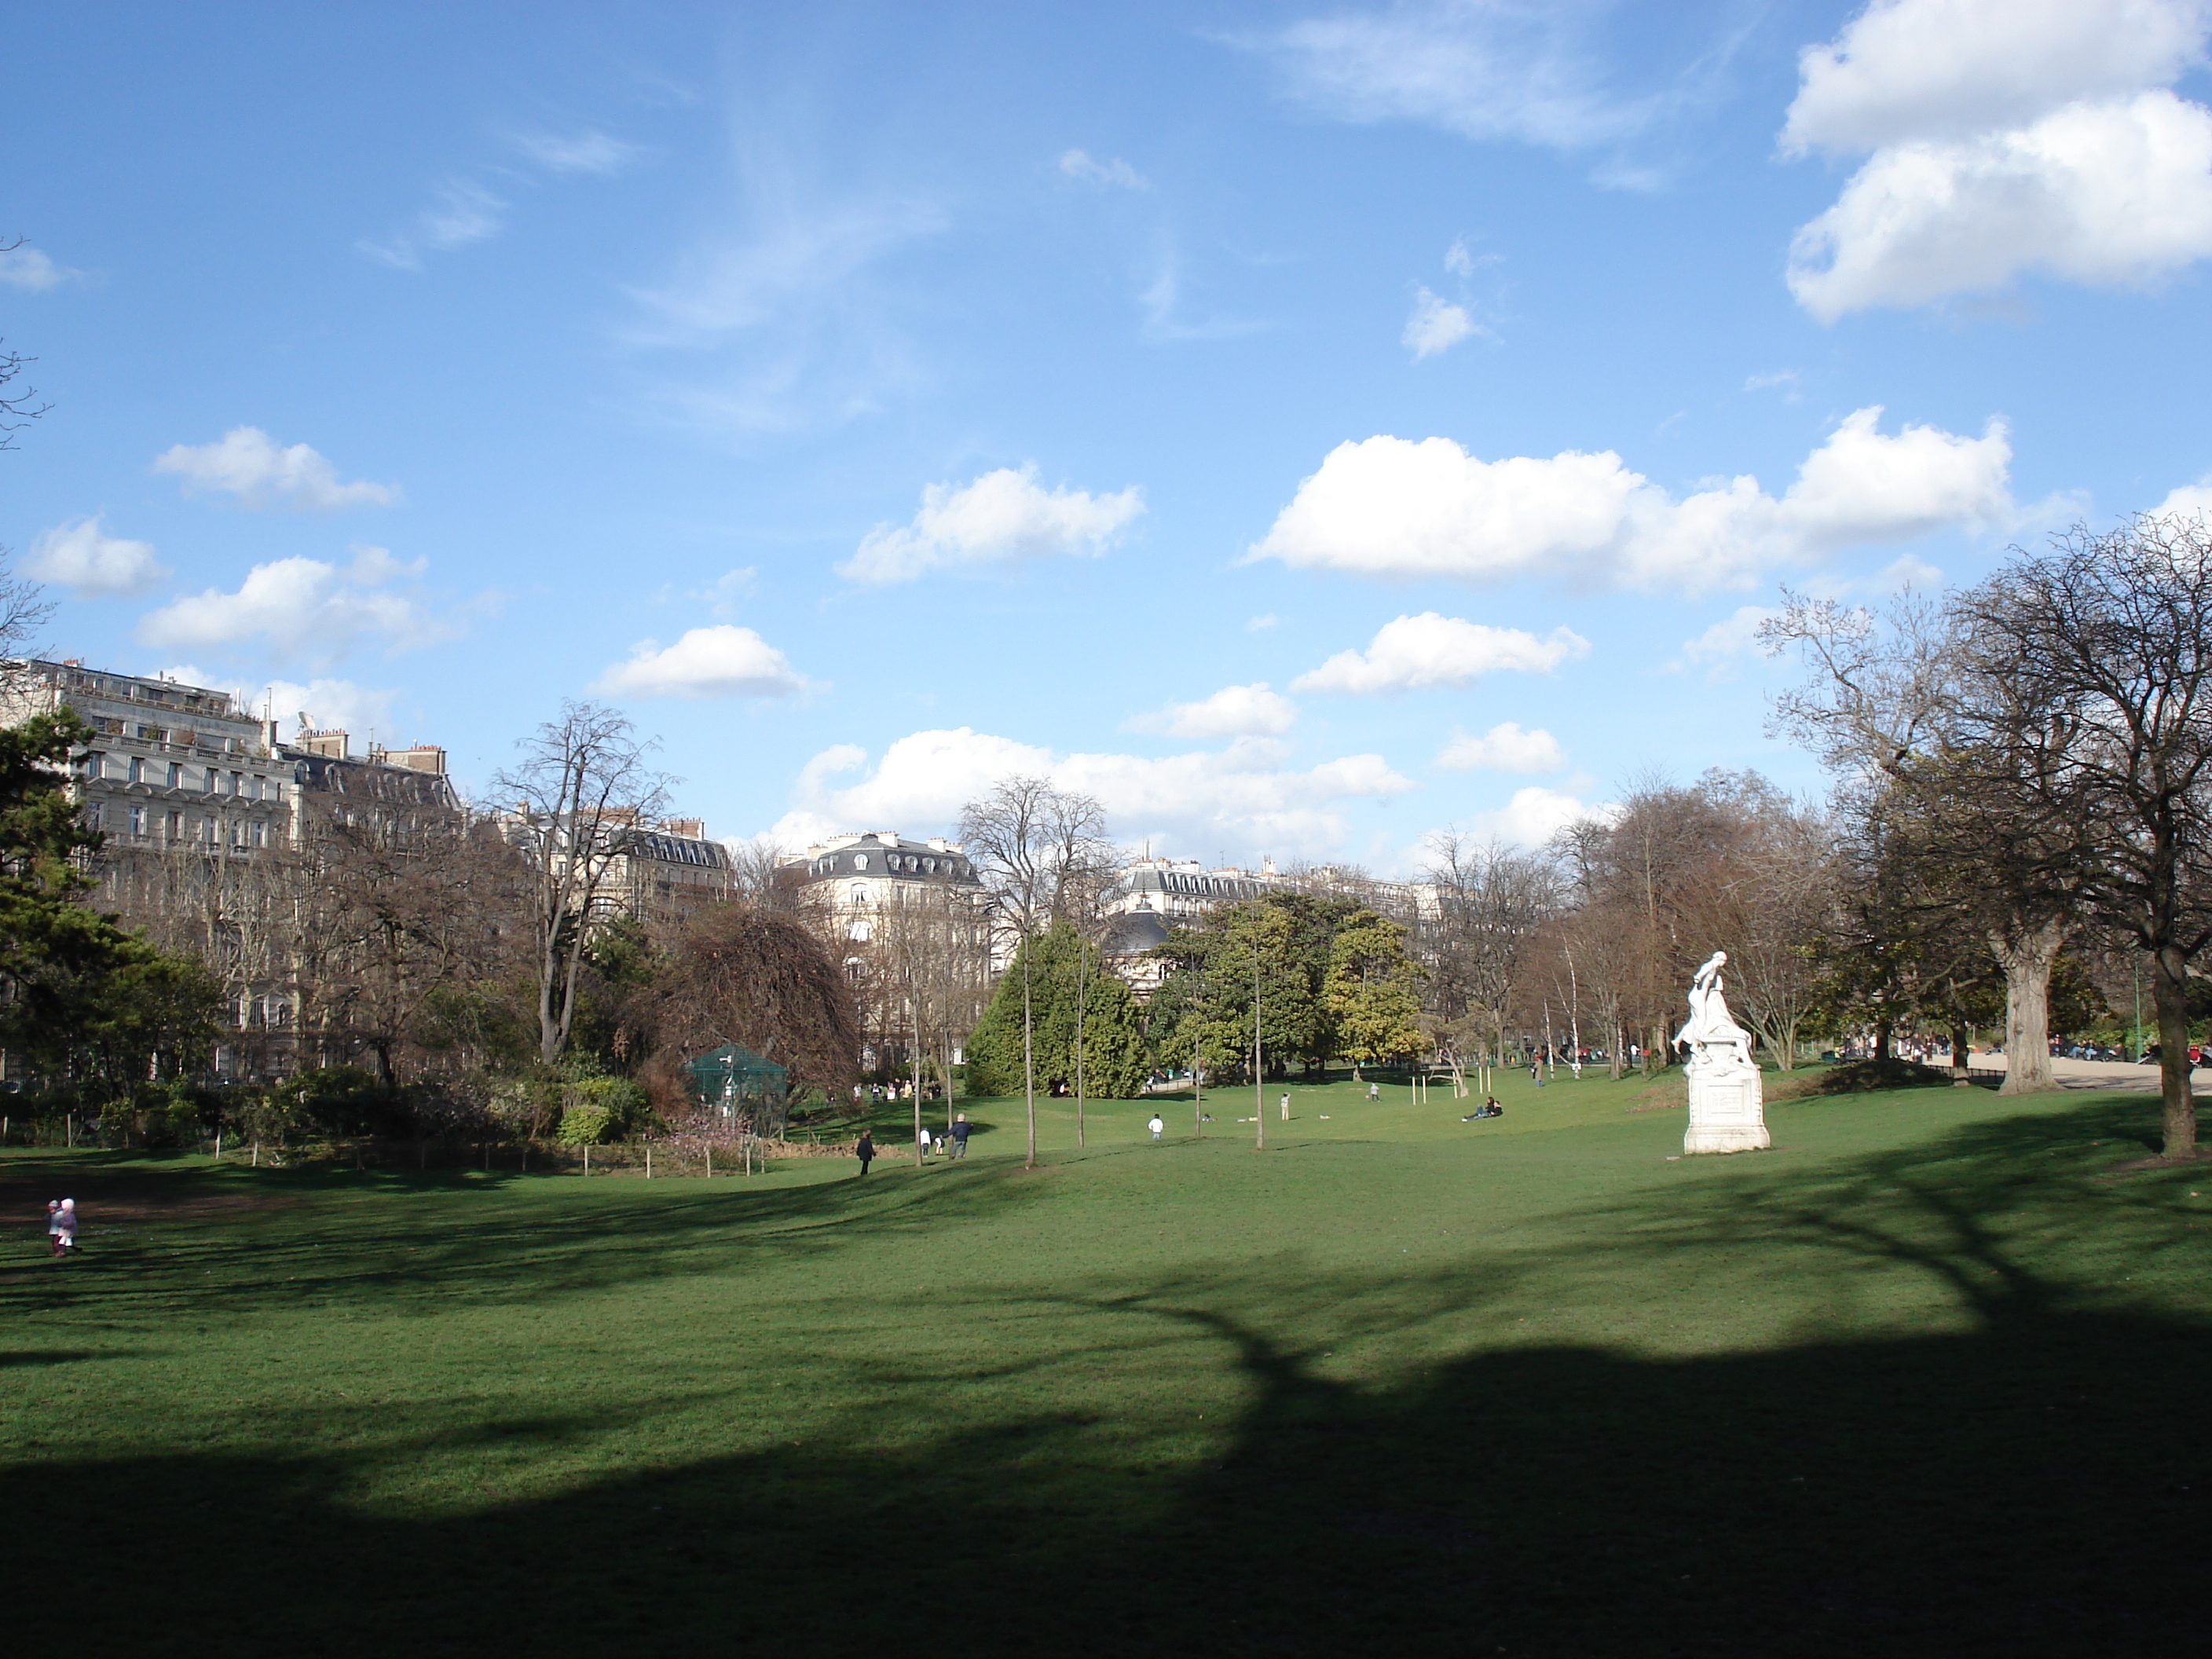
(1304, 426)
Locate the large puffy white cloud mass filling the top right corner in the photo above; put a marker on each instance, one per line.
(2003, 136)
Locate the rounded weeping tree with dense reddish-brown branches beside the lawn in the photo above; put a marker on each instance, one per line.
(764, 981)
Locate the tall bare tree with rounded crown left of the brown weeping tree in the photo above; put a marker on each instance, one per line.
(583, 780)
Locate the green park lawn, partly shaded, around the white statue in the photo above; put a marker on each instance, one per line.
(1923, 1379)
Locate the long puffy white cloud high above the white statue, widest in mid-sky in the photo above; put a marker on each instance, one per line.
(1392, 508)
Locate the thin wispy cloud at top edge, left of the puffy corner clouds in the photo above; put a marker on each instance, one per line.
(1485, 72)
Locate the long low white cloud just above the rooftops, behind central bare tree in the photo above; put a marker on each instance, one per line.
(1238, 797)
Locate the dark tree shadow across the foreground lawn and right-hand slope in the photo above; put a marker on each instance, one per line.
(2025, 1485)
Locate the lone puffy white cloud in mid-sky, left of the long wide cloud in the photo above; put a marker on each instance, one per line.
(1001, 517)
